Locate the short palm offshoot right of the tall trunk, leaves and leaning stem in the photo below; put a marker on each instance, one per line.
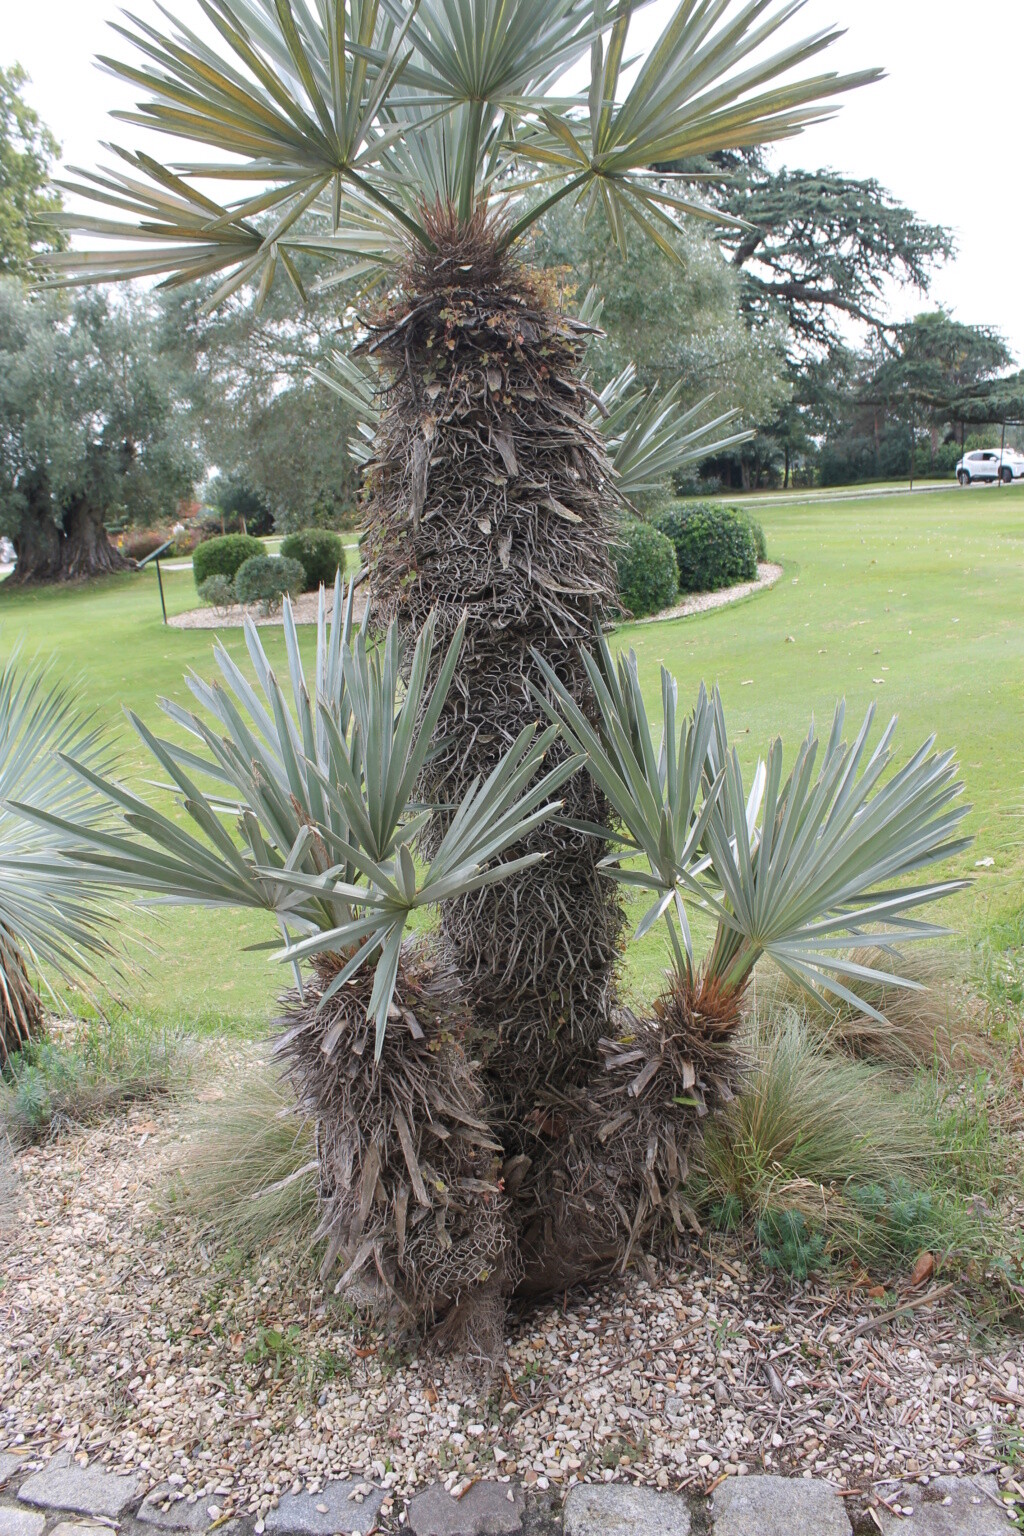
(798, 869)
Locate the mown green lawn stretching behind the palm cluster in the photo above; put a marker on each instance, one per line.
(917, 603)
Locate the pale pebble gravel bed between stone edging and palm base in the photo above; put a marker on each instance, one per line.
(125, 1340)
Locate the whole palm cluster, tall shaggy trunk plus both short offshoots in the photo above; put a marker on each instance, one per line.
(487, 1125)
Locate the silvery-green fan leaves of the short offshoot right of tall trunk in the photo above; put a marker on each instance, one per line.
(799, 870)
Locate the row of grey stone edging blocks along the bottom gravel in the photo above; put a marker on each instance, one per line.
(62, 1498)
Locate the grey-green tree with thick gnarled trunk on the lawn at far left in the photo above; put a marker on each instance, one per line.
(90, 431)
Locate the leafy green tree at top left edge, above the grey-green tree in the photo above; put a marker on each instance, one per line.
(27, 199)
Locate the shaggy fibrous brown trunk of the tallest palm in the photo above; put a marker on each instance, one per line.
(491, 497)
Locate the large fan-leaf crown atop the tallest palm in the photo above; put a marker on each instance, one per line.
(346, 119)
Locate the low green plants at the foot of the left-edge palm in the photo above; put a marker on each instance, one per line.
(82, 1078)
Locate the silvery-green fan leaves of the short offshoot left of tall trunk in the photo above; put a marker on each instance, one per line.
(329, 813)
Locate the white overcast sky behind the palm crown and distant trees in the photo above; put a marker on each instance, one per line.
(943, 131)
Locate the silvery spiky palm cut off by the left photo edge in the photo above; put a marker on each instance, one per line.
(51, 921)
